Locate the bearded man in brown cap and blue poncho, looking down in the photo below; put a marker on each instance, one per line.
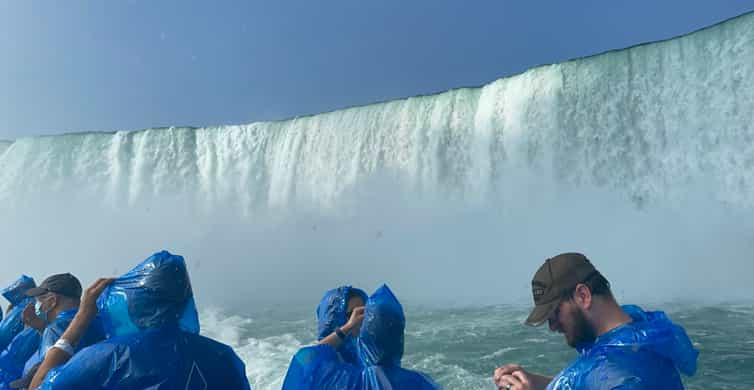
(620, 347)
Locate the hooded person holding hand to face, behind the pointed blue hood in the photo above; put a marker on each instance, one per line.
(339, 317)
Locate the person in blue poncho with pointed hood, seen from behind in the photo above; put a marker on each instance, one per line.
(380, 350)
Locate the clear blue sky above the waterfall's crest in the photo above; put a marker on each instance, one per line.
(125, 65)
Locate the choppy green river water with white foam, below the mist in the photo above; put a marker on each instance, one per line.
(461, 347)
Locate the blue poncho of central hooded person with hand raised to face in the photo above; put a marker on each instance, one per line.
(331, 314)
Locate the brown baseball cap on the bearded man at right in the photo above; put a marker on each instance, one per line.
(556, 277)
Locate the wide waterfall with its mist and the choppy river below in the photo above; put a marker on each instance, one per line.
(641, 158)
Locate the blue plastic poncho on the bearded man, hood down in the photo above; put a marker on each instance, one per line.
(647, 353)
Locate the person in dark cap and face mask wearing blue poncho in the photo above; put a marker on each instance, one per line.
(57, 302)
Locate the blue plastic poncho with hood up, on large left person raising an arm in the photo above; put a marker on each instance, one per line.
(150, 317)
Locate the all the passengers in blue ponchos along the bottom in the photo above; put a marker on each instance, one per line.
(141, 331)
